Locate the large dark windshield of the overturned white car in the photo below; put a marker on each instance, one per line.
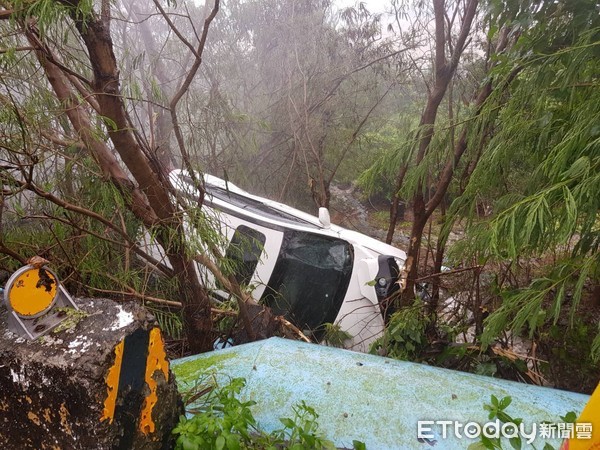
(310, 279)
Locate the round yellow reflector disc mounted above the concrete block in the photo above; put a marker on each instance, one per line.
(31, 292)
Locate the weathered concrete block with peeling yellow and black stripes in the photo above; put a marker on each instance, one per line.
(100, 380)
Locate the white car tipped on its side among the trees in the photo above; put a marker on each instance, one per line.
(302, 266)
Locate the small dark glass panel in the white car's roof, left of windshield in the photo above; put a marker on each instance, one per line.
(244, 252)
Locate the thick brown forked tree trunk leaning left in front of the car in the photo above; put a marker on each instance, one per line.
(156, 209)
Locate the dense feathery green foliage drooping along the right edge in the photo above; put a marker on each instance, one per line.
(543, 164)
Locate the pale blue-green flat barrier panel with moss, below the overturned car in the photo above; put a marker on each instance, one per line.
(372, 399)
